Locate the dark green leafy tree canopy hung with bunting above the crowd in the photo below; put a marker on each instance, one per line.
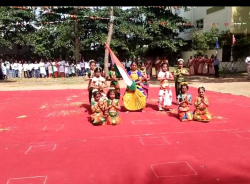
(55, 31)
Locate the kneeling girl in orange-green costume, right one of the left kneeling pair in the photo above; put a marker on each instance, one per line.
(112, 108)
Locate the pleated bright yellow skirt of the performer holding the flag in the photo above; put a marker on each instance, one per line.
(134, 100)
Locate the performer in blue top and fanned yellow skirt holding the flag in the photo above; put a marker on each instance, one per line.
(134, 98)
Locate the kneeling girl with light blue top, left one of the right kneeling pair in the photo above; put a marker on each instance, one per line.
(184, 100)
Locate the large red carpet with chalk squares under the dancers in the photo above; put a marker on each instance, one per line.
(46, 138)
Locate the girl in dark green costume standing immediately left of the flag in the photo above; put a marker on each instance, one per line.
(114, 83)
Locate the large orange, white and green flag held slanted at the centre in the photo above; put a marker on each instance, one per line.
(127, 79)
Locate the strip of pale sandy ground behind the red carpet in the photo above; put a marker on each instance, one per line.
(233, 84)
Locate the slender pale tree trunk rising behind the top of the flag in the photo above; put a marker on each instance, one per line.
(110, 31)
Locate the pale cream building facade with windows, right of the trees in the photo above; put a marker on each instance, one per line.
(235, 19)
